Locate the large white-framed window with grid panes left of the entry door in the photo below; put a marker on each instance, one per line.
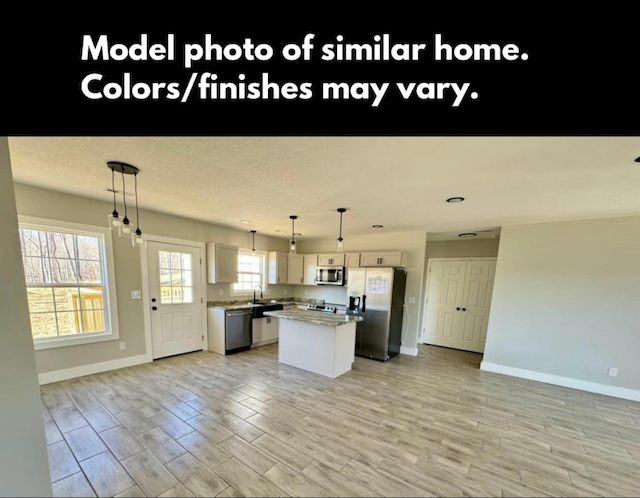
(69, 288)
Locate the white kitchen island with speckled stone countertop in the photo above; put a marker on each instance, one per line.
(318, 342)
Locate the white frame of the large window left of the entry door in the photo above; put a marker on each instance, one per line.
(110, 308)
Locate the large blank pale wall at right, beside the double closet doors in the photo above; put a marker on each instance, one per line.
(565, 301)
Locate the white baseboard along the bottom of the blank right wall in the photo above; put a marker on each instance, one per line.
(592, 387)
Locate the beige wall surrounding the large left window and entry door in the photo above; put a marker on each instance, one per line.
(43, 203)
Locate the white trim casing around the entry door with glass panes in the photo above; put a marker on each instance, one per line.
(144, 258)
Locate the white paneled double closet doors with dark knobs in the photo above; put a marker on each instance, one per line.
(458, 302)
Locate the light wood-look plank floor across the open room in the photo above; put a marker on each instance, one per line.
(432, 425)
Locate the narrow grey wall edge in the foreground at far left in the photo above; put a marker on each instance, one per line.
(24, 467)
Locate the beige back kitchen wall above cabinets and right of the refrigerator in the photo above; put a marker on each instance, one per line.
(412, 242)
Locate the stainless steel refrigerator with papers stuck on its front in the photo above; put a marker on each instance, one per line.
(377, 294)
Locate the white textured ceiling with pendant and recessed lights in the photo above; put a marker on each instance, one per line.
(398, 182)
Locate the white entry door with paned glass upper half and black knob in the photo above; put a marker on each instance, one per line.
(175, 298)
